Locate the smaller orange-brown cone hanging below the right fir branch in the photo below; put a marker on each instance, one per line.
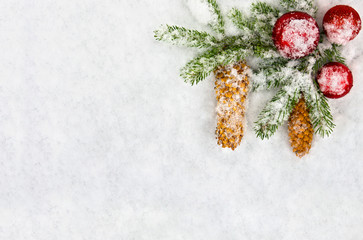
(300, 129)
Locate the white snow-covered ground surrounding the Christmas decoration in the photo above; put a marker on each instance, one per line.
(101, 139)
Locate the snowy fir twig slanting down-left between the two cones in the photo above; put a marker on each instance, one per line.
(276, 112)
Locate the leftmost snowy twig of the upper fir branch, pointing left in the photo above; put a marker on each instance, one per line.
(185, 37)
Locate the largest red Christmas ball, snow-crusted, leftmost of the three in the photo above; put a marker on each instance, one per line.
(296, 35)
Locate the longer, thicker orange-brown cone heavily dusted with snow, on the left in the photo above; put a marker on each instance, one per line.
(231, 86)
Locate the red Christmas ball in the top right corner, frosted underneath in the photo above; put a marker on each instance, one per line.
(342, 24)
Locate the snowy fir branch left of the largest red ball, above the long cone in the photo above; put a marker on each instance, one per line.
(253, 39)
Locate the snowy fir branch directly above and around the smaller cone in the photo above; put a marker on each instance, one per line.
(293, 78)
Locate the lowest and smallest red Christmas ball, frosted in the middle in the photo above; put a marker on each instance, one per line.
(335, 80)
